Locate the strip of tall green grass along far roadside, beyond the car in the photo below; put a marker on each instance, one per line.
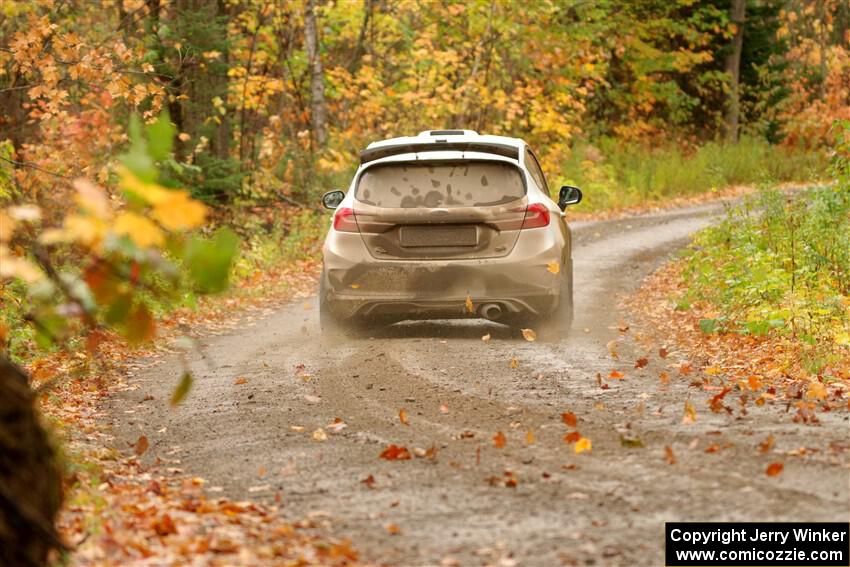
(613, 174)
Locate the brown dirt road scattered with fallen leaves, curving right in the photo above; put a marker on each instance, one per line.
(607, 507)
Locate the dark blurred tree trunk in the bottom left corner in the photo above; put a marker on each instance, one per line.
(30, 478)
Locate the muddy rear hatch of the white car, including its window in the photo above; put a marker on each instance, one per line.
(430, 210)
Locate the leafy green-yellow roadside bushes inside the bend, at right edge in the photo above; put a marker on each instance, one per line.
(780, 265)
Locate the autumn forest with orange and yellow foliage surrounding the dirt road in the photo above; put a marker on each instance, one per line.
(157, 152)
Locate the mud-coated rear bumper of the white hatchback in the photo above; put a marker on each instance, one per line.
(358, 285)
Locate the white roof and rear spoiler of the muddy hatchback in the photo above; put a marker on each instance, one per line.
(442, 140)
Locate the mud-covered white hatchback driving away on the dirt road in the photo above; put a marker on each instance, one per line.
(445, 225)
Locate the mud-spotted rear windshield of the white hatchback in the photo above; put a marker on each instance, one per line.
(447, 184)
